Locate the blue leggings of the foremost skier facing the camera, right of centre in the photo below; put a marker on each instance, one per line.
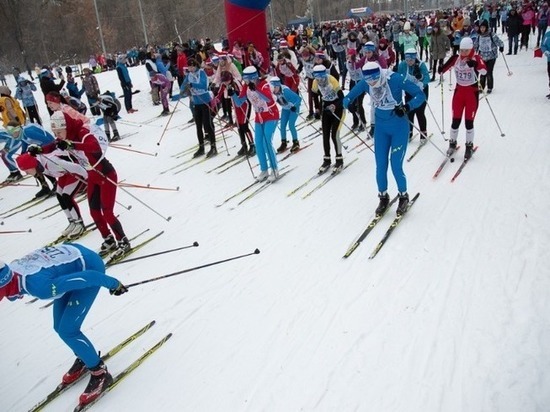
(390, 141)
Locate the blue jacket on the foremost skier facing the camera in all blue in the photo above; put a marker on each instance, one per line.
(397, 84)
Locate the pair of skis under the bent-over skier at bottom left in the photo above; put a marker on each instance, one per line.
(61, 388)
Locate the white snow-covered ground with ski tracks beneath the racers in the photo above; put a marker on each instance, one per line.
(452, 315)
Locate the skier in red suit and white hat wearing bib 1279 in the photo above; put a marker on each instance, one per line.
(468, 65)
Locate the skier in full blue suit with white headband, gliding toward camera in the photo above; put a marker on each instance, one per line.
(391, 125)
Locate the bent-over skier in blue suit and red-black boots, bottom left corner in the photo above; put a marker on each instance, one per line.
(72, 275)
